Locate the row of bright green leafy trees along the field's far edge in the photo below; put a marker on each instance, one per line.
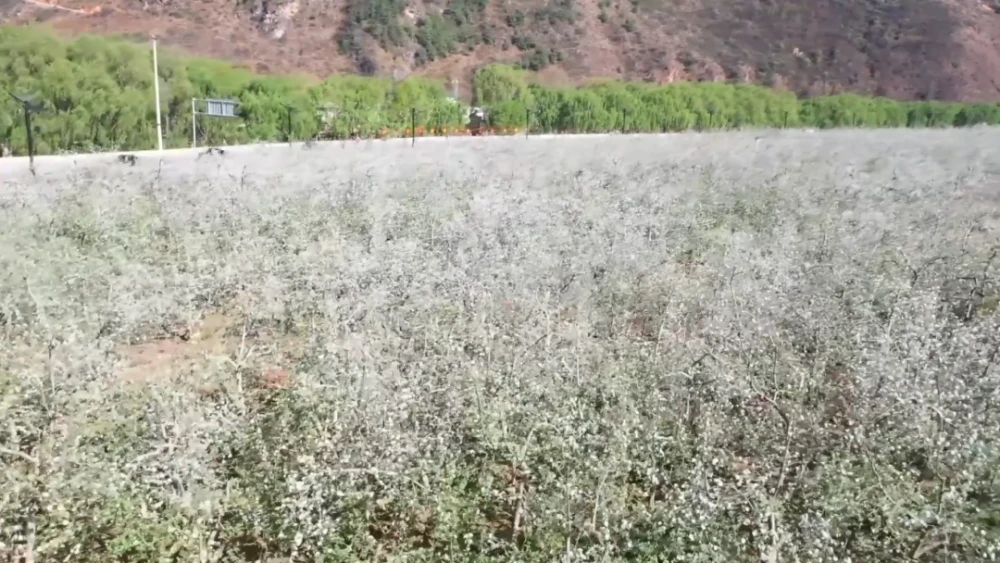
(96, 94)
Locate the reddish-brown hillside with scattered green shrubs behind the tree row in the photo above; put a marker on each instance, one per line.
(909, 49)
